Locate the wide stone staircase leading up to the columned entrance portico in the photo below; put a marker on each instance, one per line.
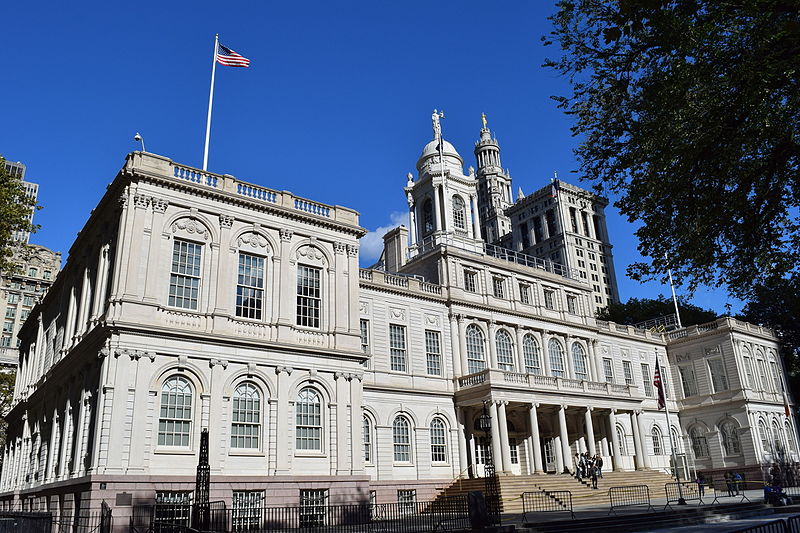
(511, 487)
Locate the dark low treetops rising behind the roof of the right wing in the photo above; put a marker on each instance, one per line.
(637, 310)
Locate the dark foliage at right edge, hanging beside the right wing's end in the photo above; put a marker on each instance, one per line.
(777, 304)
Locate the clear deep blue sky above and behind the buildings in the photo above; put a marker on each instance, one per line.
(336, 105)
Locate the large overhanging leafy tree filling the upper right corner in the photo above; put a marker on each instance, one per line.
(687, 111)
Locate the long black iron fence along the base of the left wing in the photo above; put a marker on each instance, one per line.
(441, 515)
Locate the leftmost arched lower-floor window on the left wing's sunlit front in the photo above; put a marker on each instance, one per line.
(175, 418)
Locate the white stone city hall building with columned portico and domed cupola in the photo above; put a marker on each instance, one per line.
(193, 300)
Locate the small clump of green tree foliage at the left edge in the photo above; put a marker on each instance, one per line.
(15, 208)
